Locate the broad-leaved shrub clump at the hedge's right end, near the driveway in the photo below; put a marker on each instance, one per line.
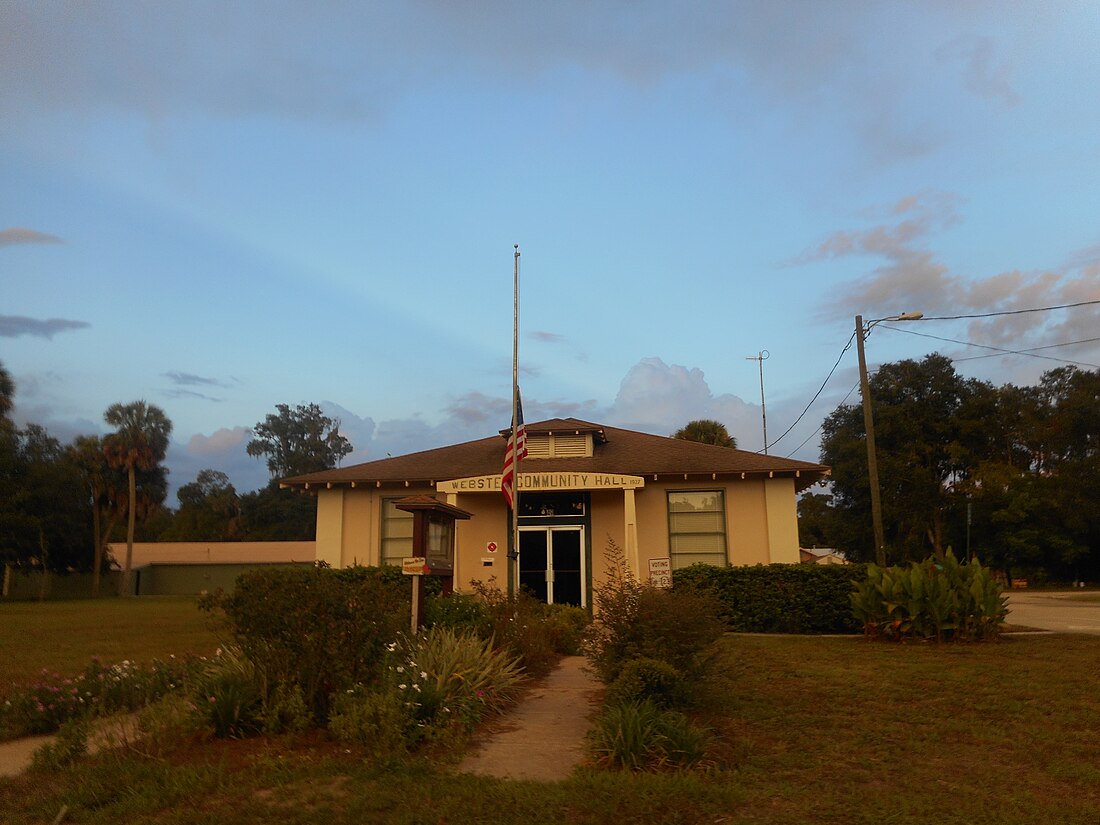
(941, 601)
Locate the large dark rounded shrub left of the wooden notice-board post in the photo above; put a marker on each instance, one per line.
(316, 630)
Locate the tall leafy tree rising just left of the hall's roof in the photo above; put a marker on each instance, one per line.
(299, 442)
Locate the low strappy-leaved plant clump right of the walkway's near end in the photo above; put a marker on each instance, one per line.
(640, 736)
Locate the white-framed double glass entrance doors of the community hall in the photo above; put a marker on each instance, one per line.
(552, 565)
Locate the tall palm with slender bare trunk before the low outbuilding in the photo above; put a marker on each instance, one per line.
(140, 443)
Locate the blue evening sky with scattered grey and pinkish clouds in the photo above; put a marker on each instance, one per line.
(223, 207)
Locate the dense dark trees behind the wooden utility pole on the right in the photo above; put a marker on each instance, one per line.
(1007, 474)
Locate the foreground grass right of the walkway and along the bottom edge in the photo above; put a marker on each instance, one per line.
(815, 731)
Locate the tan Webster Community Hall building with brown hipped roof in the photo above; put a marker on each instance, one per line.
(582, 487)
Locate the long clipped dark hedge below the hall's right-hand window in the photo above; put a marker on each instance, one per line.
(795, 599)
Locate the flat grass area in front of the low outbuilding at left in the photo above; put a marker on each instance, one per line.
(64, 636)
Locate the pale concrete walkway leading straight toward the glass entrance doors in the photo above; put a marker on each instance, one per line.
(543, 739)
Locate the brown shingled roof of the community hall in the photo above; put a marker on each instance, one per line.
(620, 452)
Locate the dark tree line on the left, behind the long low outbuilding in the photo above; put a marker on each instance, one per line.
(62, 504)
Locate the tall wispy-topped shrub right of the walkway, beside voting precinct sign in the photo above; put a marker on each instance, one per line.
(633, 622)
